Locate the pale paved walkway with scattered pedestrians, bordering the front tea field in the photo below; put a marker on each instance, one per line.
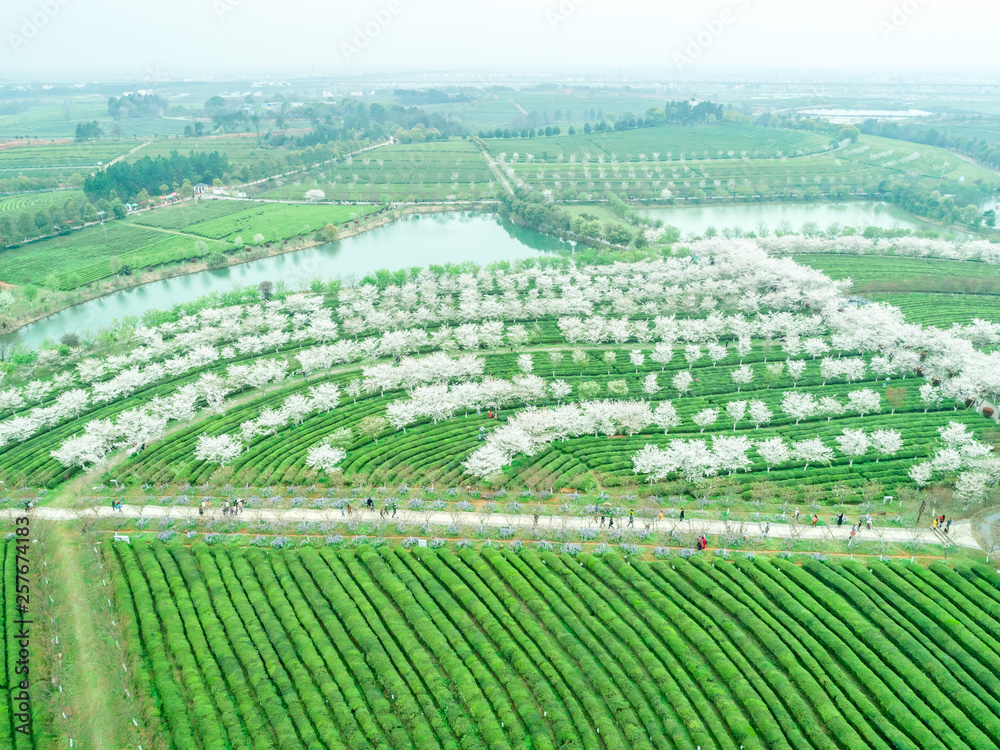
(961, 532)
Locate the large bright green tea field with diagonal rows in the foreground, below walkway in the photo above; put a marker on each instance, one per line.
(429, 648)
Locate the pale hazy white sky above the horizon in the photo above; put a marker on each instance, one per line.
(136, 39)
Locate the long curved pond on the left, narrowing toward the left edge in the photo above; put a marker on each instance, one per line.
(417, 240)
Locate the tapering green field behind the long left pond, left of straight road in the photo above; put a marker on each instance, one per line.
(454, 170)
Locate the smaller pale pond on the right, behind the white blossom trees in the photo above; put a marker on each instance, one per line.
(749, 216)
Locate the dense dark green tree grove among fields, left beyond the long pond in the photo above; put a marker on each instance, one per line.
(128, 180)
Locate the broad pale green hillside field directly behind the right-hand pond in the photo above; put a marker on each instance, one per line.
(721, 163)
